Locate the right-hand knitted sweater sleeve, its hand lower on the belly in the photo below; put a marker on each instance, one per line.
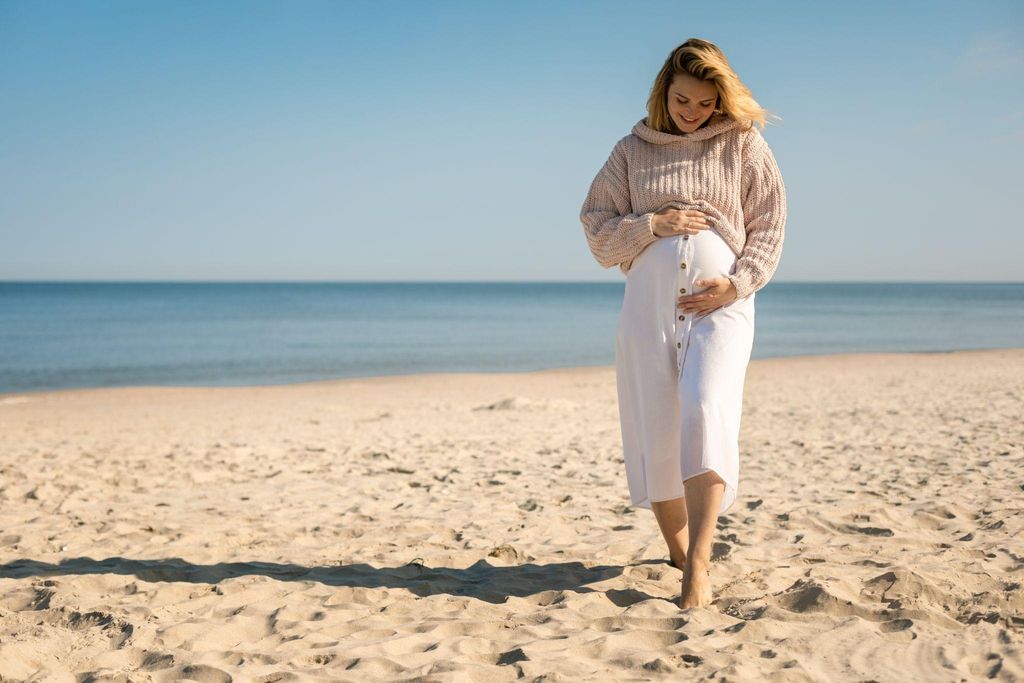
(764, 215)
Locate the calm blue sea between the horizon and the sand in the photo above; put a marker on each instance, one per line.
(75, 335)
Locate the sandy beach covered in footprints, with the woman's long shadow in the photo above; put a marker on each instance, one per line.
(478, 528)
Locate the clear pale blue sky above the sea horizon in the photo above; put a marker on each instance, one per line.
(456, 141)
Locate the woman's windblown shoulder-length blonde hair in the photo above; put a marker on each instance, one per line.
(705, 61)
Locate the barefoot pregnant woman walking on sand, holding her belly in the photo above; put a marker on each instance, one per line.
(692, 207)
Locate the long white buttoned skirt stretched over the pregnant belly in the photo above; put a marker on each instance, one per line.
(680, 378)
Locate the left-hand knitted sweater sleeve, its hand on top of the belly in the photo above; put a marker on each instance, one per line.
(615, 234)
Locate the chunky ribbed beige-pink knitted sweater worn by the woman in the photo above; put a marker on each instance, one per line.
(719, 168)
